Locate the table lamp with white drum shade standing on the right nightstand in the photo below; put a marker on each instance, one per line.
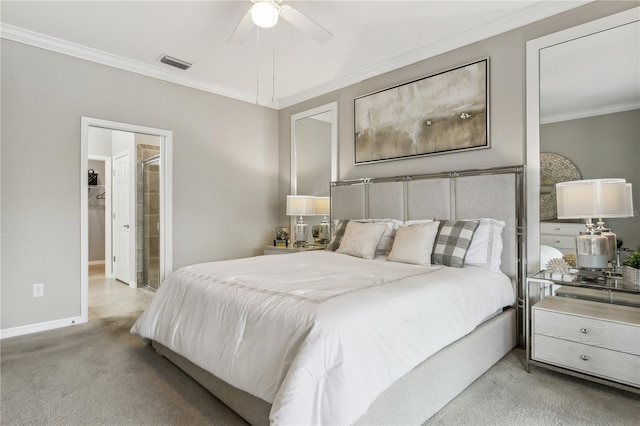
(587, 199)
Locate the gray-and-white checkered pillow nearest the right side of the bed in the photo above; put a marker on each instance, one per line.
(452, 242)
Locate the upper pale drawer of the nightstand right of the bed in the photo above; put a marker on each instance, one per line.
(590, 331)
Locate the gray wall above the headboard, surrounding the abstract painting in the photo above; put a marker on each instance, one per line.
(507, 54)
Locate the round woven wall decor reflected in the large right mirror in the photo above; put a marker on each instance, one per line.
(554, 168)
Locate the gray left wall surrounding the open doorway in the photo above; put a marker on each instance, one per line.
(225, 168)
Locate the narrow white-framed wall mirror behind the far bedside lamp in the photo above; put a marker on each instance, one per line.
(314, 155)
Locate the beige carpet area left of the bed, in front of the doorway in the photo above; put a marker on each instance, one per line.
(99, 374)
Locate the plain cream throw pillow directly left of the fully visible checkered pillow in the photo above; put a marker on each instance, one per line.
(414, 243)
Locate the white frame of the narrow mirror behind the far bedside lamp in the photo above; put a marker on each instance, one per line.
(332, 108)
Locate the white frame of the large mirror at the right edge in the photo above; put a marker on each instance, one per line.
(533, 118)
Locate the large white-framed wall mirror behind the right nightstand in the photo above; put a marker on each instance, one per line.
(583, 103)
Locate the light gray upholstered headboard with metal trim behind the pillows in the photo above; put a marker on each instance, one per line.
(496, 193)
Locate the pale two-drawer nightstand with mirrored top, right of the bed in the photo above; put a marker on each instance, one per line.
(584, 327)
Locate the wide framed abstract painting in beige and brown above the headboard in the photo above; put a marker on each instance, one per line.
(442, 113)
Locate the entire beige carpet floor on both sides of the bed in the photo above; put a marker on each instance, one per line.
(99, 374)
